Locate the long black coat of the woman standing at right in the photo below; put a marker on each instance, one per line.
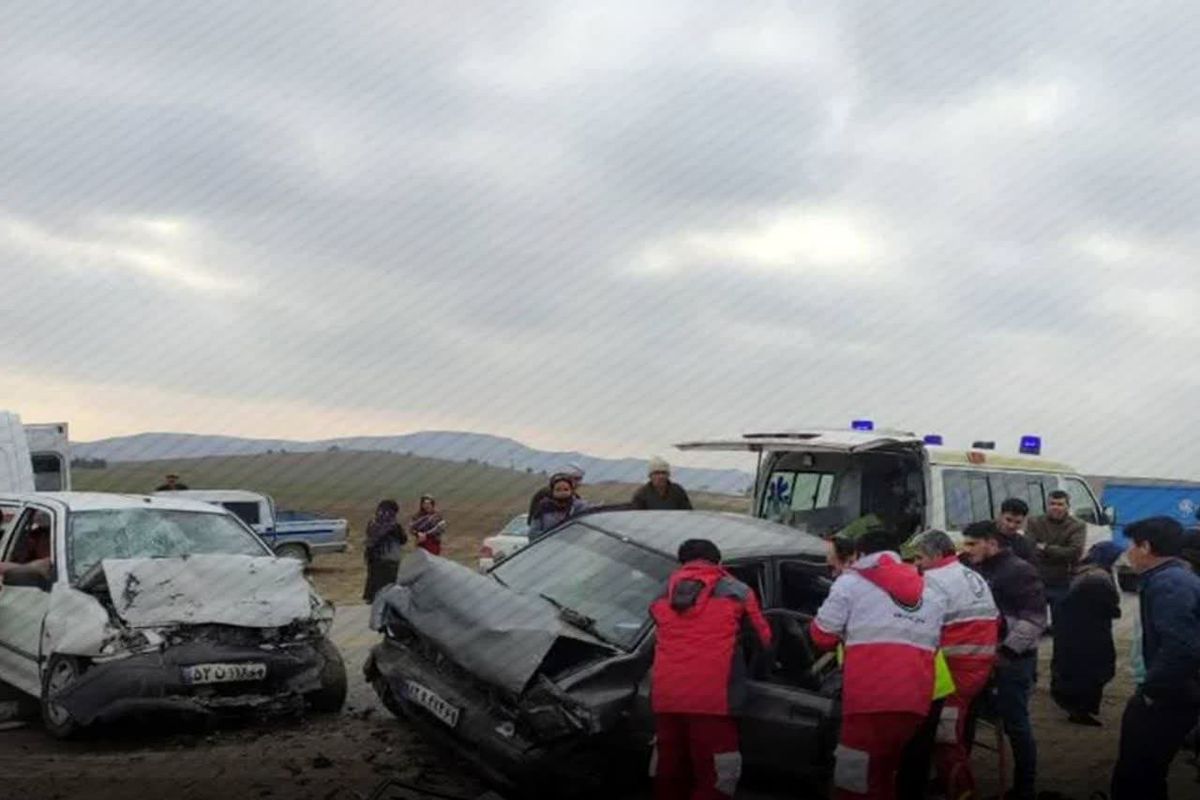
(1084, 653)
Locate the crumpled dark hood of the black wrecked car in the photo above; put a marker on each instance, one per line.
(495, 634)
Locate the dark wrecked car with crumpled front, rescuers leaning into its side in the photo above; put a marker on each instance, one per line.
(539, 671)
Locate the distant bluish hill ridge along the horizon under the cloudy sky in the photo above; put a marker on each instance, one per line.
(447, 446)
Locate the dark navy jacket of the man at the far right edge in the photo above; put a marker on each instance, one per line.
(1171, 633)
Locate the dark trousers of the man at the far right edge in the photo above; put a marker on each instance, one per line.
(1151, 736)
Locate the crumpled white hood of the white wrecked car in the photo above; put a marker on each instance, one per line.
(243, 591)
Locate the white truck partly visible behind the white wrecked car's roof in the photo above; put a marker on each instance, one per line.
(34, 458)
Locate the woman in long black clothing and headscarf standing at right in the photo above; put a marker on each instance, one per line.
(1084, 654)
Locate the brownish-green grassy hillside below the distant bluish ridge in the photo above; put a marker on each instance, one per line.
(477, 500)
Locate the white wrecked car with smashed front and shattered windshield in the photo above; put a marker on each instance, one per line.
(155, 604)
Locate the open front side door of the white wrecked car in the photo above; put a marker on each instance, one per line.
(25, 603)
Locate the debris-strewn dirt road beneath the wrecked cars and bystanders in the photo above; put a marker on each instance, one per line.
(347, 757)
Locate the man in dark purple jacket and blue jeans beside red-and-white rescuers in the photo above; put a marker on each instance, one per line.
(1021, 598)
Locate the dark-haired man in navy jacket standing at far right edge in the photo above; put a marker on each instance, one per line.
(1167, 705)
